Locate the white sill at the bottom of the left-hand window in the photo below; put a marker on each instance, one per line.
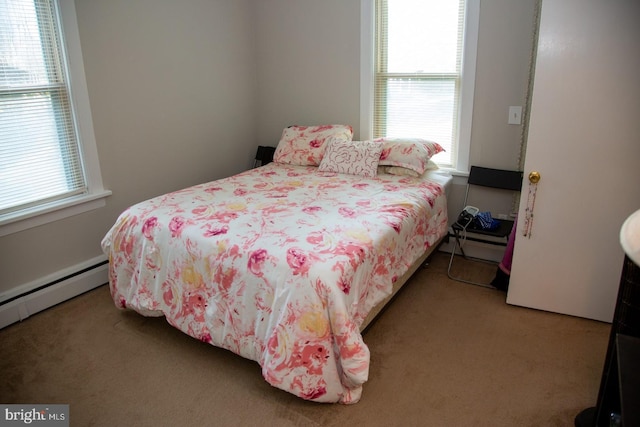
(10, 224)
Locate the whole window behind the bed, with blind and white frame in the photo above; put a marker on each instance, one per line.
(421, 72)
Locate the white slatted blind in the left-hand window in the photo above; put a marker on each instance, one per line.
(40, 159)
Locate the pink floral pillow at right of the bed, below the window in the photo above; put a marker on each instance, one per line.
(409, 153)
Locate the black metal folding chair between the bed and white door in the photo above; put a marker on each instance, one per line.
(465, 228)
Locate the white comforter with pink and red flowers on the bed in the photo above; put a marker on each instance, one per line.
(279, 264)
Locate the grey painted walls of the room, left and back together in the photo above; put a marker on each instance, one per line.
(183, 92)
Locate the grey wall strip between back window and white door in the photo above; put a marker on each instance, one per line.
(504, 48)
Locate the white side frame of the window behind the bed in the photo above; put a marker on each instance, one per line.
(367, 54)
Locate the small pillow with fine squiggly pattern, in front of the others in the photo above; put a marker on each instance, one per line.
(352, 157)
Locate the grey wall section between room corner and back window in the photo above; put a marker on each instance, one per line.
(308, 57)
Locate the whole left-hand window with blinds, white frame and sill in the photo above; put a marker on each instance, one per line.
(46, 165)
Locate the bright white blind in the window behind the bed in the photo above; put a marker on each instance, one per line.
(418, 71)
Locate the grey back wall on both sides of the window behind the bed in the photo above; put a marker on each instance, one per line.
(309, 57)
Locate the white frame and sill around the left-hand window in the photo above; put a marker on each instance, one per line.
(96, 194)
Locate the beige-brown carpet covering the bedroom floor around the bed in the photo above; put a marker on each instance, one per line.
(443, 354)
